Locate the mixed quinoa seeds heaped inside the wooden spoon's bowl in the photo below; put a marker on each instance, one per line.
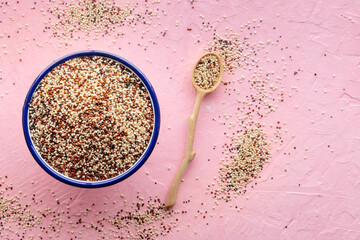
(207, 71)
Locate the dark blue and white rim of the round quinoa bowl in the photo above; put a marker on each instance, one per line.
(107, 182)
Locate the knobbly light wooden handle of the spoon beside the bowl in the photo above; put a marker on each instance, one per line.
(189, 152)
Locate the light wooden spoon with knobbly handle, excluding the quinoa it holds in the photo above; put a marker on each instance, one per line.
(192, 119)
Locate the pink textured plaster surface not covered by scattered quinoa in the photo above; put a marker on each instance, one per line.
(311, 192)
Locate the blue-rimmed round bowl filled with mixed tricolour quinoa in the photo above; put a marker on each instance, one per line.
(91, 119)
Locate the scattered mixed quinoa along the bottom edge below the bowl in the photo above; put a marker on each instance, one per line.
(26, 215)
